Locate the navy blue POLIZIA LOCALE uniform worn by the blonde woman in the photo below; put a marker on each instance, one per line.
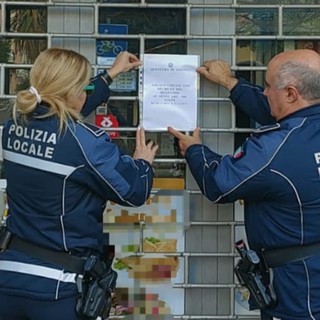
(57, 186)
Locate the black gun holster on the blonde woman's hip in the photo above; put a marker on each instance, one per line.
(95, 289)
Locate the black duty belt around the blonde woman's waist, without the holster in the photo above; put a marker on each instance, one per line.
(67, 261)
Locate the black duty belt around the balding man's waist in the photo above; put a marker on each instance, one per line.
(280, 256)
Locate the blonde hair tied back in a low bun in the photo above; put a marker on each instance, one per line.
(57, 74)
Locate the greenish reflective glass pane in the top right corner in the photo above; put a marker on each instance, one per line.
(301, 21)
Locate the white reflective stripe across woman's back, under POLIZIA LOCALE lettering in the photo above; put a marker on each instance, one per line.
(37, 163)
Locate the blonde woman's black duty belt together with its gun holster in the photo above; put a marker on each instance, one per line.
(96, 280)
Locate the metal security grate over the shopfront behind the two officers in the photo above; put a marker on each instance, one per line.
(246, 33)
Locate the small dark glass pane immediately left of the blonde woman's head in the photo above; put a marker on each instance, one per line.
(16, 80)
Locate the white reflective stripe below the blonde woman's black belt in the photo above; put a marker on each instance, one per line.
(35, 270)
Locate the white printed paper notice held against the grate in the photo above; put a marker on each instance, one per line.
(170, 92)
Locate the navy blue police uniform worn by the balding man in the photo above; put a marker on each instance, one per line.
(277, 173)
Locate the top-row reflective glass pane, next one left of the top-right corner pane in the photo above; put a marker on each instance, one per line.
(256, 21)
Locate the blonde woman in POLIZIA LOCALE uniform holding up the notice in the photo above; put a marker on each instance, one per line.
(60, 172)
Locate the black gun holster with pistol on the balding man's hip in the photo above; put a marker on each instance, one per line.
(254, 274)
